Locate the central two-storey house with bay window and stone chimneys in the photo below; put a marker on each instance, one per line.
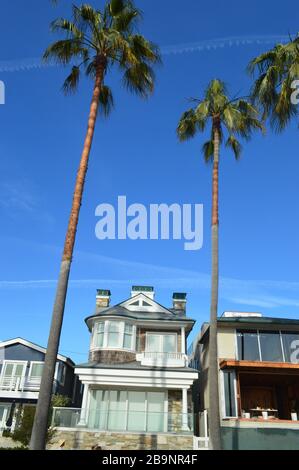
(137, 381)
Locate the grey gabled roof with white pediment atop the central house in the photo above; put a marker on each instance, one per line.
(140, 307)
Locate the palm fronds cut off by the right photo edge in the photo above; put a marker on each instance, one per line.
(276, 70)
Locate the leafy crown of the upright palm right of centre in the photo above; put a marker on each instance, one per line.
(237, 116)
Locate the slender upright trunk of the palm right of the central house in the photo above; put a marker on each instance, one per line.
(214, 414)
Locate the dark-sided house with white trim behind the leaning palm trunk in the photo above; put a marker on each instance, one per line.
(21, 365)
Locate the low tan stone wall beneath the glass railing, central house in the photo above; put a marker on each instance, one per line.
(84, 440)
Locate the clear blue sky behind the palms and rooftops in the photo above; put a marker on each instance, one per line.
(136, 153)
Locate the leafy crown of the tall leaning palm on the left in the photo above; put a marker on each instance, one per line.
(105, 38)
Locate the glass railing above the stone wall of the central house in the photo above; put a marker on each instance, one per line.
(123, 421)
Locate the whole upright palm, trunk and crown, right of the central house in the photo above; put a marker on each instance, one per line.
(238, 118)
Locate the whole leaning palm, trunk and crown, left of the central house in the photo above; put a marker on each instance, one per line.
(95, 42)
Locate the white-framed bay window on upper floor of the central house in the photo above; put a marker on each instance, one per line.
(120, 346)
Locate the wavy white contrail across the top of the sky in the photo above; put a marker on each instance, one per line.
(206, 45)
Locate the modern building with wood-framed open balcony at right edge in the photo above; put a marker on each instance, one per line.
(258, 380)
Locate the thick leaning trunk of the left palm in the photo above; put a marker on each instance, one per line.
(40, 426)
